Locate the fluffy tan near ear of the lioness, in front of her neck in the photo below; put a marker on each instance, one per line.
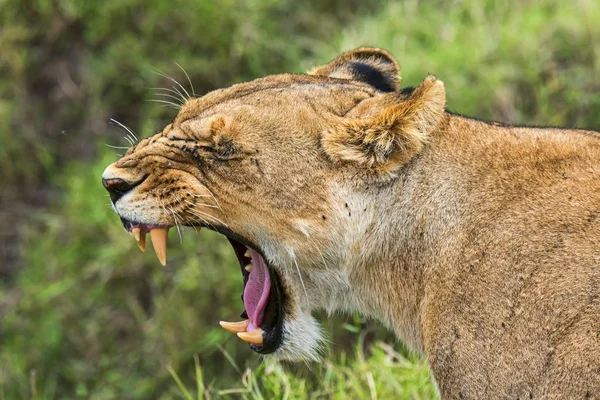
(386, 142)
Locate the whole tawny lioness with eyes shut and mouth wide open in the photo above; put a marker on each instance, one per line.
(477, 243)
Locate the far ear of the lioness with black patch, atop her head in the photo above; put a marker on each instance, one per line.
(373, 66)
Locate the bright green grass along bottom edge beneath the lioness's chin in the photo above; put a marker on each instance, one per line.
(384, 374)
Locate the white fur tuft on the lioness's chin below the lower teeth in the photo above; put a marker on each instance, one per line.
(302, 340)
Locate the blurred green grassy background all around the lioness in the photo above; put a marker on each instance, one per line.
(83, 313)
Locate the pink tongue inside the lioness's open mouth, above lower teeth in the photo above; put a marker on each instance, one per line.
(256, 293)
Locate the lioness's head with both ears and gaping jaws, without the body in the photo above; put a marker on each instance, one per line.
(279, 165)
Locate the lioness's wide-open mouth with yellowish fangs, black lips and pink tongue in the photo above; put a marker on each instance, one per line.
(263, 296)
